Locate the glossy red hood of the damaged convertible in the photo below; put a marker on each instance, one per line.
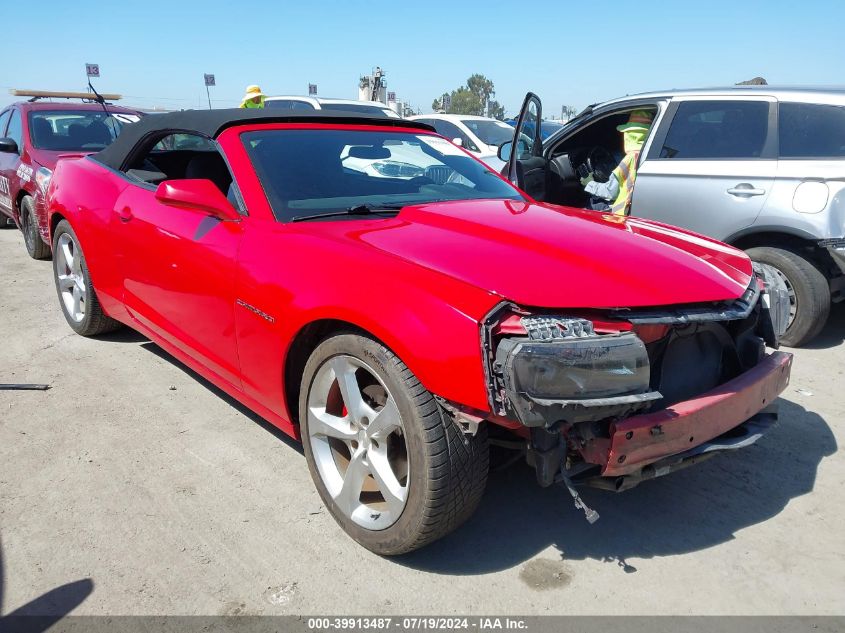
(548, 256)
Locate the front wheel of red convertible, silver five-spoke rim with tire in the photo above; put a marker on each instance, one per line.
(393, 471)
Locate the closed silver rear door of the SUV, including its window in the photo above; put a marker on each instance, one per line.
(710, 166)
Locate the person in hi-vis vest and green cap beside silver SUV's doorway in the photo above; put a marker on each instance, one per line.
(615, 194)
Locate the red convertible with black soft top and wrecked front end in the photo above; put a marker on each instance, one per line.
(374, 290)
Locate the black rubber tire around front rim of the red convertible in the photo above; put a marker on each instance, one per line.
(447, 468)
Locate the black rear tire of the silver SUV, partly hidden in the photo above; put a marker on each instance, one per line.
(811, 291)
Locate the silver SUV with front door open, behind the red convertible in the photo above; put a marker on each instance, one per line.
(760, 168)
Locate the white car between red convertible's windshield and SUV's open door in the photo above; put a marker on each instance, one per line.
(477, 134)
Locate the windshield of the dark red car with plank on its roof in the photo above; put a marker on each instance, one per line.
(76, 130)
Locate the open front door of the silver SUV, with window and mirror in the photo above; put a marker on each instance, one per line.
(526, 165)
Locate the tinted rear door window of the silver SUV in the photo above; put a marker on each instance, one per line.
(717, 129)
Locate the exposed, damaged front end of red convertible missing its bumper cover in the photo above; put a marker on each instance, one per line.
(612, 402)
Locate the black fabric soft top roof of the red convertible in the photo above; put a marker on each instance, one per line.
(211, 123)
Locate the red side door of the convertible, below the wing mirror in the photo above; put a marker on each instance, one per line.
(178, 267)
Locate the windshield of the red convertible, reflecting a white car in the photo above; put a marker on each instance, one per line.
(309, 172)
